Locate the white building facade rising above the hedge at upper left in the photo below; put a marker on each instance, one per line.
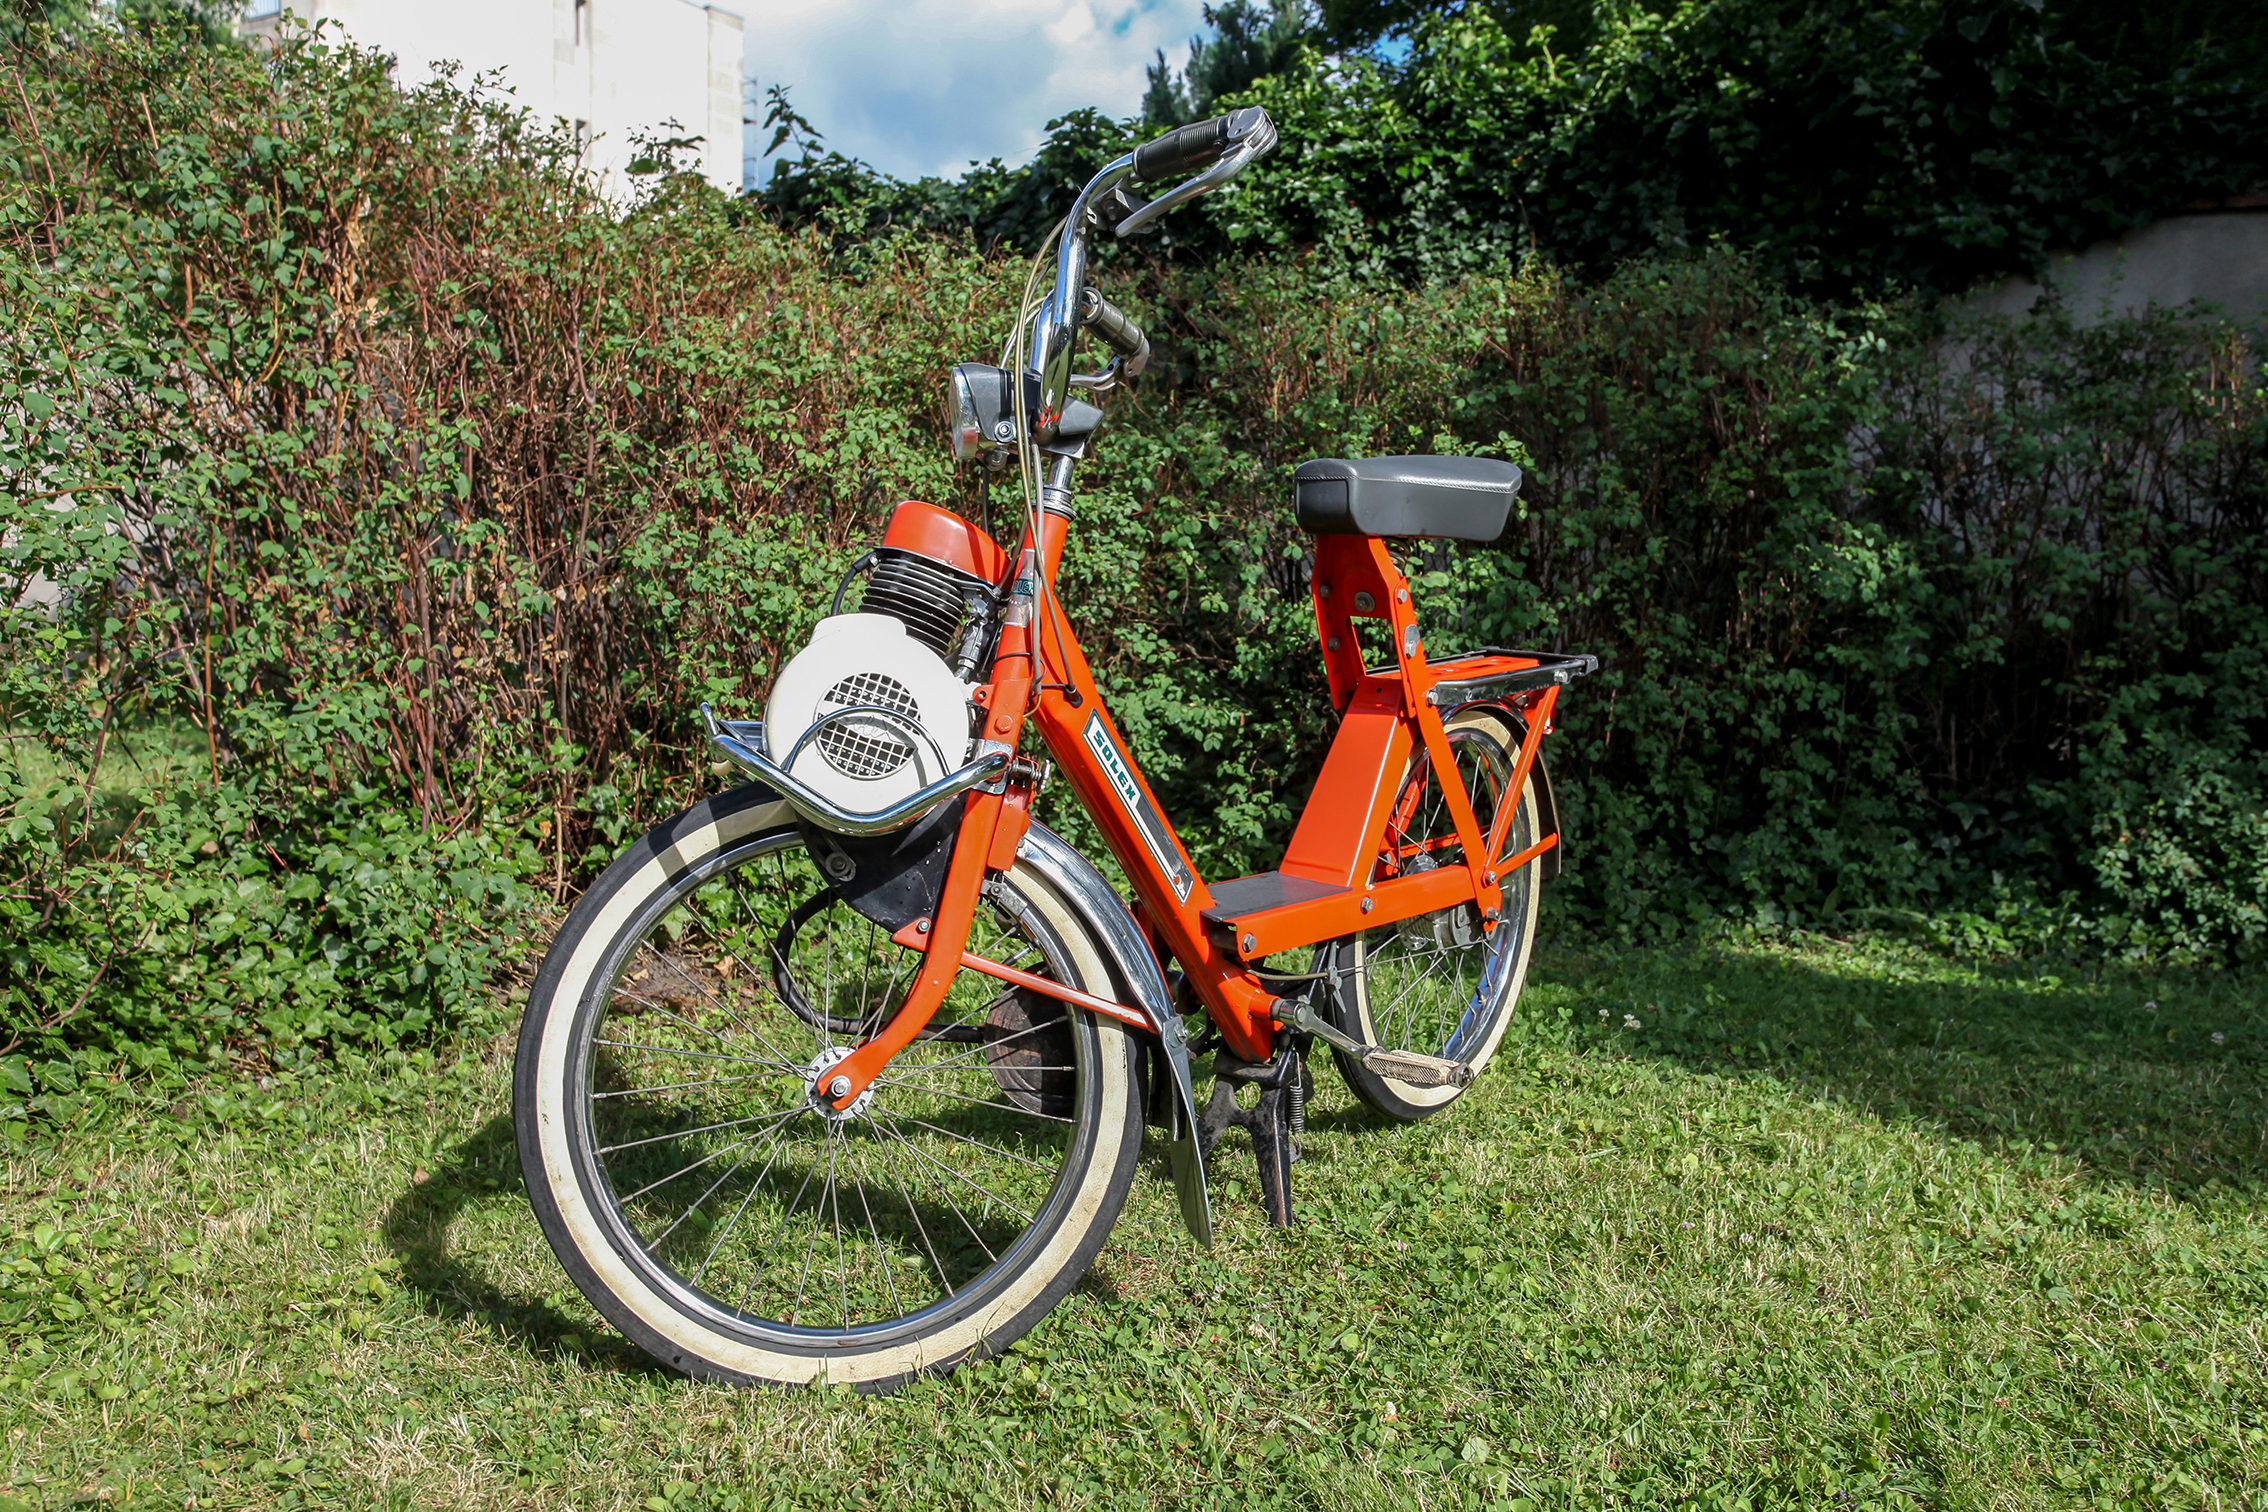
(611, 69)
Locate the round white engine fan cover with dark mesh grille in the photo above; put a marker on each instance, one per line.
(868, 763)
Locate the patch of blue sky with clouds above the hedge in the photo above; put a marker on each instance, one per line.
(922, 87)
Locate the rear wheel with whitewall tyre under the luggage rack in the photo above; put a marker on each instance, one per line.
(1441, 985)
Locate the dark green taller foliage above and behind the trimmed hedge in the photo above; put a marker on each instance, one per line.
(1852, 148)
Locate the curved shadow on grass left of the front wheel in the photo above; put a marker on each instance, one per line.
(475, 1173)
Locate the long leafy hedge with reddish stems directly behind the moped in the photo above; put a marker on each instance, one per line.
(412, 498)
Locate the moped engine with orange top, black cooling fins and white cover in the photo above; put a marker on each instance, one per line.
(888, 683)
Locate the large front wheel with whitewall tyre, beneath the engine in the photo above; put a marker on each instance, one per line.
(718, 1209)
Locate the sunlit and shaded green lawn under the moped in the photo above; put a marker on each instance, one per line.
(1831, 1228)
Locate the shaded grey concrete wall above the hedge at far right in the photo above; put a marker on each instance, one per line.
(2212, 255)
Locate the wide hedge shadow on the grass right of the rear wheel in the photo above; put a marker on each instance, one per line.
(2149, 1078)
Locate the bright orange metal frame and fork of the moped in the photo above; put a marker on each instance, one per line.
(1044, 679)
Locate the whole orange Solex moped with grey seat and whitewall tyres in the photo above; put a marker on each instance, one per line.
(843, 1076)
